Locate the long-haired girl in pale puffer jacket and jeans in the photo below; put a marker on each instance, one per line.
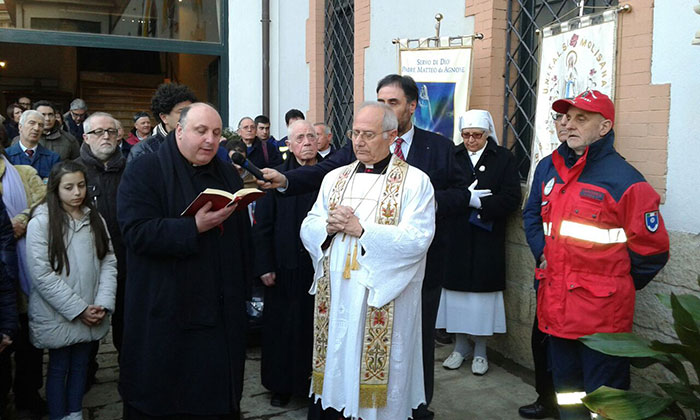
(74, 274)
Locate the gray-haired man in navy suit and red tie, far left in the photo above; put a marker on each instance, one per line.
(28, 151)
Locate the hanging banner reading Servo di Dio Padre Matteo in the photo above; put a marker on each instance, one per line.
(443, 75)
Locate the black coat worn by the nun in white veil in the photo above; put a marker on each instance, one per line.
(477, 256)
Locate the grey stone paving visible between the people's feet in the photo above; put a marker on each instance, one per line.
(458, 394)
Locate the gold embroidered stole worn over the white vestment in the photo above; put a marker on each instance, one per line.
(376, 348)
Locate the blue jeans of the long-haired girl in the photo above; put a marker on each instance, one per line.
(65, 379)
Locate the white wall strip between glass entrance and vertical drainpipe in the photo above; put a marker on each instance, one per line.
(245, 60)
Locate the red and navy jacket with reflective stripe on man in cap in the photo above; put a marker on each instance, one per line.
(603, 234)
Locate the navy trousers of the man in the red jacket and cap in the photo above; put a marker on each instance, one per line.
(577, 368)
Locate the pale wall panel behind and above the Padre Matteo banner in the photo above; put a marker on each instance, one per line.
(387, 21)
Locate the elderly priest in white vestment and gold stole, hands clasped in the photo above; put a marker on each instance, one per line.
(368, 234)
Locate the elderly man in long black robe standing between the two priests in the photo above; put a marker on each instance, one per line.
(285, 268)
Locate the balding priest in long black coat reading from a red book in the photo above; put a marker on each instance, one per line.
(184, 321)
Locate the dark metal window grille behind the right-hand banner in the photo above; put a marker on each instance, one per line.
(524, 17)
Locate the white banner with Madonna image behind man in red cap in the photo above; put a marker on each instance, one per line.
(575, 56)
